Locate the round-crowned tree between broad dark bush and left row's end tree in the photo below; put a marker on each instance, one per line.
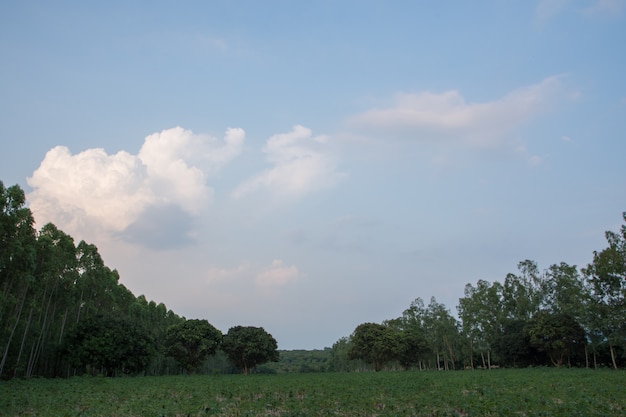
(191, 342)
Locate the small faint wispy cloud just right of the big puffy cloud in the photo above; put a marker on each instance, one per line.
(301, 164)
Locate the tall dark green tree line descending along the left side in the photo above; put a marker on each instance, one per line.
(63, 312)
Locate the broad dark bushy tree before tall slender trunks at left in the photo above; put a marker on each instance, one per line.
(111, 345)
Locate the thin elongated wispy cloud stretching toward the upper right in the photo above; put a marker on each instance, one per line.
(448, 115)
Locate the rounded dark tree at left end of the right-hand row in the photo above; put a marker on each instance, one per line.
(375, 344)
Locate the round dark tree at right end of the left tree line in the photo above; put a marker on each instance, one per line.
(248, 346)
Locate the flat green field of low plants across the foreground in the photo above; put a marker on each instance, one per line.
(527, 392)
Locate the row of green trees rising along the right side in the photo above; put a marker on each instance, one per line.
(560, 316)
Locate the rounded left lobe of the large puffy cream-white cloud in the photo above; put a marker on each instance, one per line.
(89, 187)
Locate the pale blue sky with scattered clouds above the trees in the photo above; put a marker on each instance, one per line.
(308, 166)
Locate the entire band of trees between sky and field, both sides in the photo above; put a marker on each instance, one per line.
(63, 313)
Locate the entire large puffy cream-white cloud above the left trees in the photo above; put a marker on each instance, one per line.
(94, 190)
